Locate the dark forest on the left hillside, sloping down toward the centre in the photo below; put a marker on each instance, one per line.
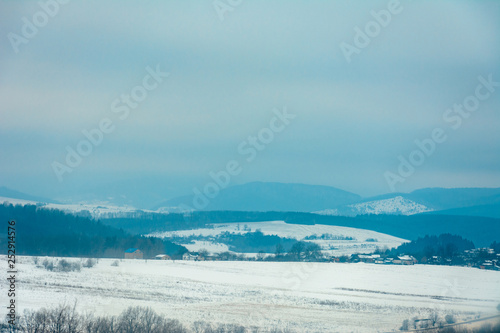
(47, 232)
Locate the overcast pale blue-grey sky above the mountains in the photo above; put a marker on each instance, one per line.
(315, 92)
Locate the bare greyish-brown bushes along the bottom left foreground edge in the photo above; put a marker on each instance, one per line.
(65, 319)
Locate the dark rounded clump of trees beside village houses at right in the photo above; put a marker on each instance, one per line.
(444, 245)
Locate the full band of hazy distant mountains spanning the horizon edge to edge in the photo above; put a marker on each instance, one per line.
(325, 200)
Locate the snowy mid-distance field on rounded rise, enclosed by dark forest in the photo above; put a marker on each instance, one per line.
(297, 231)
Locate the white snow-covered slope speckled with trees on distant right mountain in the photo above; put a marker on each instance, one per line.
(397, 206)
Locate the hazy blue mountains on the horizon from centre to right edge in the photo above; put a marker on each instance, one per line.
(327, 200)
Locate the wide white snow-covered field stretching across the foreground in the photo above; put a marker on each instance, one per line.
(304, 297)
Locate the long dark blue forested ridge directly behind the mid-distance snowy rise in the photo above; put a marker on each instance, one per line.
(481, 230)
